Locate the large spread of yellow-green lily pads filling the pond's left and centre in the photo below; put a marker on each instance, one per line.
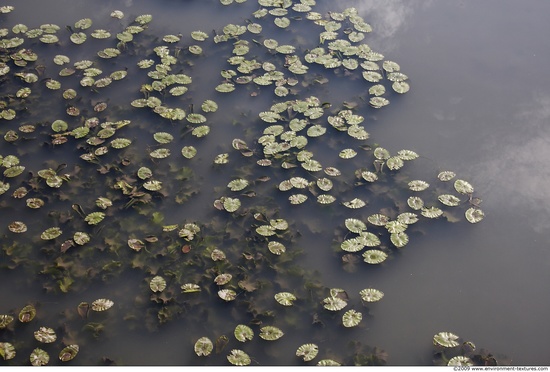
(296, 151)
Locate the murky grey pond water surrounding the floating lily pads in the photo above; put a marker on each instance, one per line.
(478, 105)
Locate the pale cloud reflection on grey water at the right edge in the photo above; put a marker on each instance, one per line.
(514, 165)
